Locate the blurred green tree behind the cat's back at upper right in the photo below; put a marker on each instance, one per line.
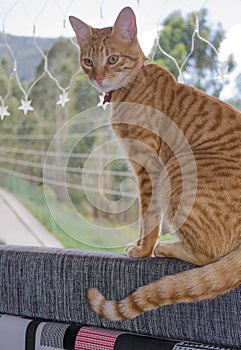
(177, 38)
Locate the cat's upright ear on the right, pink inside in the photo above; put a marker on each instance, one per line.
(125, 25)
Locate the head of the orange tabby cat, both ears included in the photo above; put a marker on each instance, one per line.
(110, 57)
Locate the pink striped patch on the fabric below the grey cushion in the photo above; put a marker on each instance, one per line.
(92, 338)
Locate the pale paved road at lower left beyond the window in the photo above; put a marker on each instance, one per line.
(19, 227)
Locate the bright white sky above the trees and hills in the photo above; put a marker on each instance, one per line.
(49, 18)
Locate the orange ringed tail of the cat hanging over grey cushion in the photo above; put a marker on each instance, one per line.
(194, 285)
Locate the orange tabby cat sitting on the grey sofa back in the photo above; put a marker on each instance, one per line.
(210, 233)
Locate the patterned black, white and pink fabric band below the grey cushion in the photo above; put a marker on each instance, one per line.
(19, 333)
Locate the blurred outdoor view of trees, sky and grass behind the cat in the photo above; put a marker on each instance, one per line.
(44, 153)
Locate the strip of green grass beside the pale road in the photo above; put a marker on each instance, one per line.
(33, 198)
